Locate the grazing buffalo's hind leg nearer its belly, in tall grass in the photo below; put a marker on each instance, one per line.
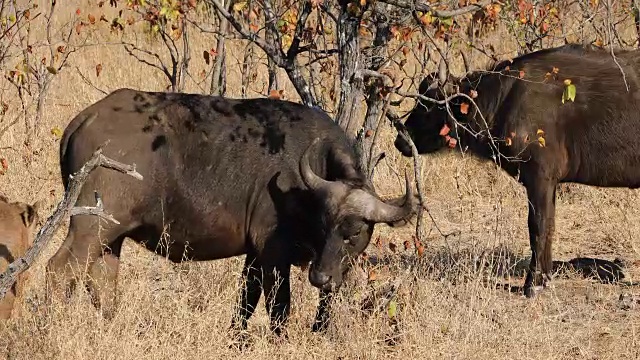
(103, 279)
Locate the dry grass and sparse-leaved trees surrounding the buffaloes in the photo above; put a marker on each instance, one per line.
(439, 289)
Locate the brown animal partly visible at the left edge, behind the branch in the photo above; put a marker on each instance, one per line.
(17, 224)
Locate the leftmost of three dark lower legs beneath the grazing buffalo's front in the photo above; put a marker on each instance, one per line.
(250, 292)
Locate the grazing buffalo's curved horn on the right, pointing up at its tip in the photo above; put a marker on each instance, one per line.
(374, 209)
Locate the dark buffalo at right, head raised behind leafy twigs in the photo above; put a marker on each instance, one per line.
(524, 125)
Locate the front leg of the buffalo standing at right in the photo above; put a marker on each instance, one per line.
(541, 221)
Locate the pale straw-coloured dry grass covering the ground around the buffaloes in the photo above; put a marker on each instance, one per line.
(450, 307)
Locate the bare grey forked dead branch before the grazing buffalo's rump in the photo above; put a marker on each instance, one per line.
(65, 208)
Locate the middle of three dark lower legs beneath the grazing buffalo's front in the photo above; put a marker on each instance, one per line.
(277, 291)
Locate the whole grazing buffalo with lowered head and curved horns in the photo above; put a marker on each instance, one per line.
(275, 180)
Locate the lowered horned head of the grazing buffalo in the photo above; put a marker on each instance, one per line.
(350, 209)
